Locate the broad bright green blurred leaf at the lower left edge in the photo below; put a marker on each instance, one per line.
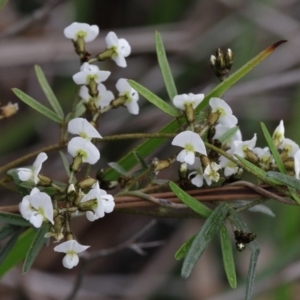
(15, 255)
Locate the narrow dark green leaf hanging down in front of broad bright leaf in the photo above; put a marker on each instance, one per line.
(35, 247)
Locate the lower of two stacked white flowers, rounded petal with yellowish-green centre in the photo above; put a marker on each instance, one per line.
(88, 151)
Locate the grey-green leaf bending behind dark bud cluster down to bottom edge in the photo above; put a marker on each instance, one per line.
(254, 247)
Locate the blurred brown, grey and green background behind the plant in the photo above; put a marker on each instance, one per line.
(31, 32)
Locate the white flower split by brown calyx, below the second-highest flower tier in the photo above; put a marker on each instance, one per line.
(104, 96)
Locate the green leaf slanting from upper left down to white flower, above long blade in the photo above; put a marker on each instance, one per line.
(155, 100)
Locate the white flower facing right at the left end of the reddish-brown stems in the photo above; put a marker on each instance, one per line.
(105, 203)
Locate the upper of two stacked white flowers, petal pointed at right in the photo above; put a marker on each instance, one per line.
(83, 128)
